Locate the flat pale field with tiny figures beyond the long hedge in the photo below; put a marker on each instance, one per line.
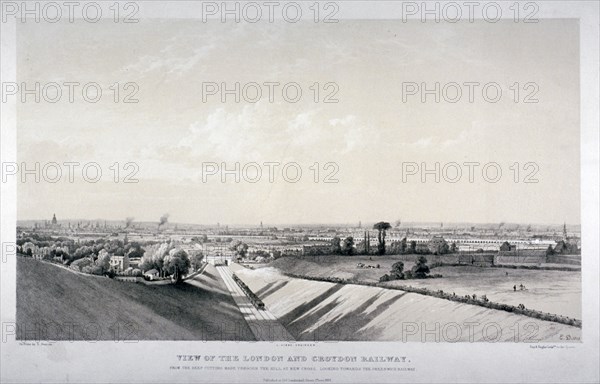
(556, 292)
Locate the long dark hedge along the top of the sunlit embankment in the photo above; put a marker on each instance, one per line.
(452, 297)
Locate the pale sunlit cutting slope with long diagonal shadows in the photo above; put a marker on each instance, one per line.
(315, 310)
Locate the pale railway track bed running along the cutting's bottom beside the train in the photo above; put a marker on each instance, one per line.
(263, 323)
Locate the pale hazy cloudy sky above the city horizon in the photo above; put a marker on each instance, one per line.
(364, 138)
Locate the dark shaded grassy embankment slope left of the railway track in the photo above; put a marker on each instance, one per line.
(79, 307)
